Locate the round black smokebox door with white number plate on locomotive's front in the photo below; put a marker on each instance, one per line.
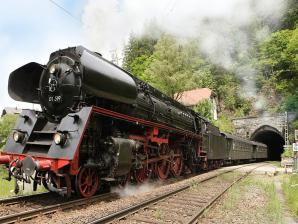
(60, 86)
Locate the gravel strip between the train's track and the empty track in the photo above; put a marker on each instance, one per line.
(130, 196)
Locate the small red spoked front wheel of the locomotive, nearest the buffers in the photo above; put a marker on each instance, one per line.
(87, 182)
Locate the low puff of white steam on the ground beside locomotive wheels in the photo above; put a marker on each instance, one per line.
(131, 190)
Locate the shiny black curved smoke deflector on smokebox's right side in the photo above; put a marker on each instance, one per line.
(105, 80)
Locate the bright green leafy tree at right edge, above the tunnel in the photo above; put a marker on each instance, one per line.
(278, 60)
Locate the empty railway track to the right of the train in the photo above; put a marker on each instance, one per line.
(183, 205)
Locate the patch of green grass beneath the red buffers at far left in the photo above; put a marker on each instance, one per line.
(7, 187)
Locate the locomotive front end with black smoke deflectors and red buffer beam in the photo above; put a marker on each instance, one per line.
(45, 146)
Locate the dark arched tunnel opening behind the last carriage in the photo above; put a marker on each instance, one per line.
(272, 138)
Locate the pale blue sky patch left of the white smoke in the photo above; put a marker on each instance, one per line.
(29, 31)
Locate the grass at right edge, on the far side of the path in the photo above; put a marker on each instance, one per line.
(290, 188)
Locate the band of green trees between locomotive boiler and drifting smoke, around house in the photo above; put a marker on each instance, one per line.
(173, 67)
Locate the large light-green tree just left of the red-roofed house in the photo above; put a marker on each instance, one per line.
(175, 67)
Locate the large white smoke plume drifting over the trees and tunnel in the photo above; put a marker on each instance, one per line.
(228, 31)
